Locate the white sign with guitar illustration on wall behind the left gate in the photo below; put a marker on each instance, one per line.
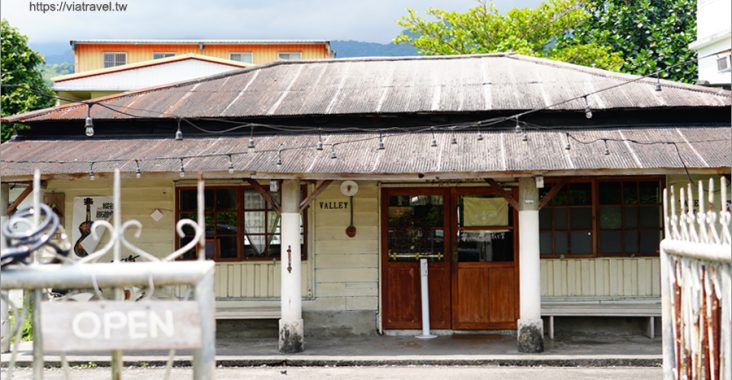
(86, 211)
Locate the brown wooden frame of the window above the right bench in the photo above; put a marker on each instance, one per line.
(595, 182)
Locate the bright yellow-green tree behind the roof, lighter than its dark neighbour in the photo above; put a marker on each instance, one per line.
(525, 31)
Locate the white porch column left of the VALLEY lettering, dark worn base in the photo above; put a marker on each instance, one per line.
(291, 325)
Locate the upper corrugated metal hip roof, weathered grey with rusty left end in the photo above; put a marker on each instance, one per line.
(476, 83)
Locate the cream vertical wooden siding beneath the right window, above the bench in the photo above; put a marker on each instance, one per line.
(631, 277)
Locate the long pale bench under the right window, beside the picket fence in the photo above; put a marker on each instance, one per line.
(649, 307)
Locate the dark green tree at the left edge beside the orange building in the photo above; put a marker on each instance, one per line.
(22, 82)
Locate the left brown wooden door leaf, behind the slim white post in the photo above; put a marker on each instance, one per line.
(415, 224)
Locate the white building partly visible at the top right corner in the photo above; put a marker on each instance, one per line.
(714, 42)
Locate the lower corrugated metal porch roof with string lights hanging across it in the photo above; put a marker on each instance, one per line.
(357, 154)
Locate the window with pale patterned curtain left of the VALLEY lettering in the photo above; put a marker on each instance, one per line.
(240, 224)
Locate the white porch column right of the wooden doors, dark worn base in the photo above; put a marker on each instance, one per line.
(530, 327)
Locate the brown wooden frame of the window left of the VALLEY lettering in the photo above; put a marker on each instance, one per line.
(240, 211)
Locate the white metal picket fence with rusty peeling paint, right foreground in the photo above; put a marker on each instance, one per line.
(696, 283)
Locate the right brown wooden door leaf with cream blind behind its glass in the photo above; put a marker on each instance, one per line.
(484, 260)
